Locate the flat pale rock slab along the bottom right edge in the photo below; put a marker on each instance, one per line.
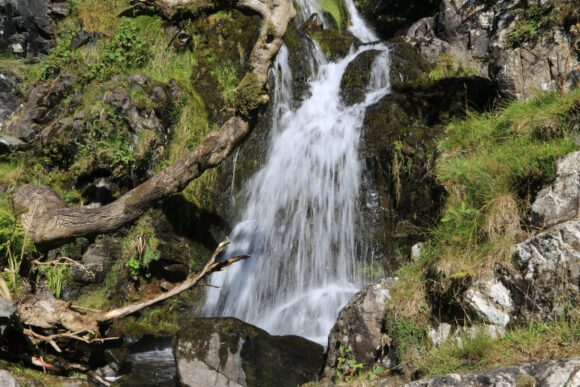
(548, 374)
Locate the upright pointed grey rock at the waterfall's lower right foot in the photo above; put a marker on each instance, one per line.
(359, 325)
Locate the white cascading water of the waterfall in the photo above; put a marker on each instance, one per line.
(299, 220)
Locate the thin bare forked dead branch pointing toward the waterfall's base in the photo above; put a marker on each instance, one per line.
(211, 266)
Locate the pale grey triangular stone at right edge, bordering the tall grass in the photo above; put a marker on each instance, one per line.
(560, 201)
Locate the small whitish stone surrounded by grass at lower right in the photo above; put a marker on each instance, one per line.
(490, 301)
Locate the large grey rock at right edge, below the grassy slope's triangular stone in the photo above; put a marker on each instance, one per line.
(549, 270)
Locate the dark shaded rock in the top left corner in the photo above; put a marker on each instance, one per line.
(26, 25)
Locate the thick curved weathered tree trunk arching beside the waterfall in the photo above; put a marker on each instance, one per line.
(49, 222)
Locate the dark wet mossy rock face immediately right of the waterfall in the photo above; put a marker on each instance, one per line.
(399, 192)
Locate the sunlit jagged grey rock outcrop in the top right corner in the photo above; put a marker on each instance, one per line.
(478, 35)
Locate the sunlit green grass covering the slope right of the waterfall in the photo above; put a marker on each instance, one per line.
(490, 165)
